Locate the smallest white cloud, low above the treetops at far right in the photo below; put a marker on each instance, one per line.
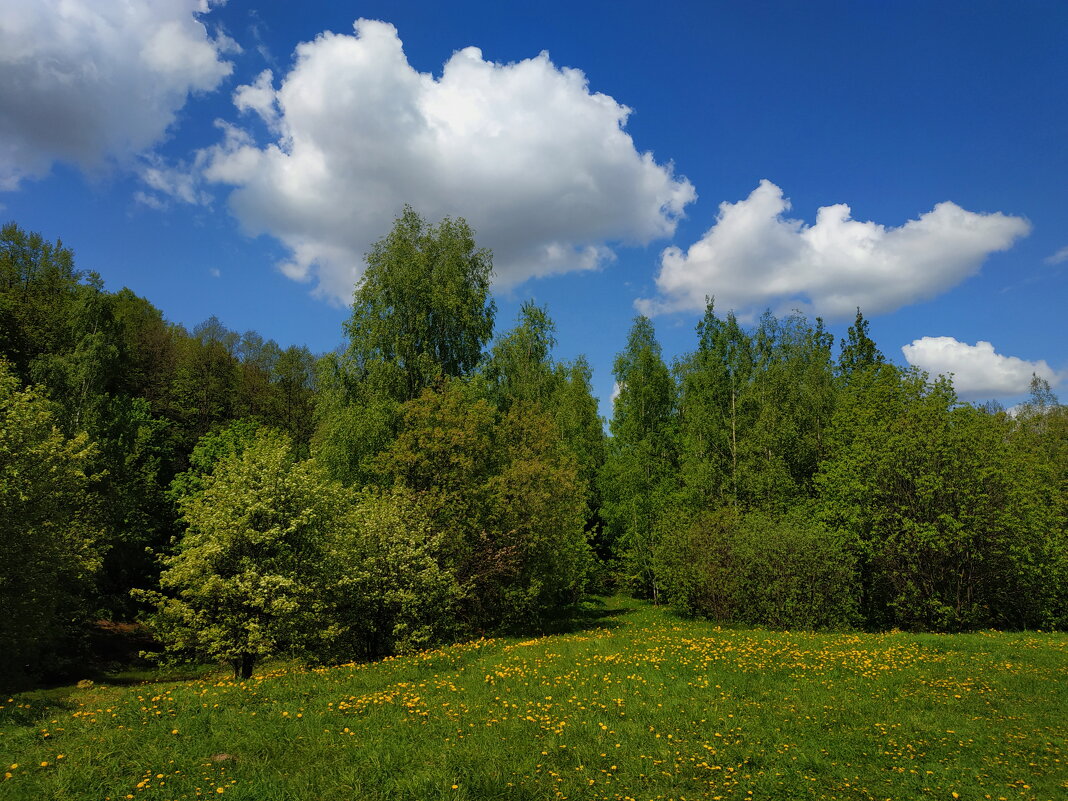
(979, 371)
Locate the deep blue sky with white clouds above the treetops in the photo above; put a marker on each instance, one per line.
(617, 158)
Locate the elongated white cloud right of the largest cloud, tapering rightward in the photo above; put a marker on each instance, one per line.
(756, 257)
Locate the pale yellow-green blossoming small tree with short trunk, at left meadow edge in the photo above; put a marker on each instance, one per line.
(245, 580)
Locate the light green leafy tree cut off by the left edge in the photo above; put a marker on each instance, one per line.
(48, 546)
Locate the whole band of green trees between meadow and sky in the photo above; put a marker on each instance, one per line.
(429, 482)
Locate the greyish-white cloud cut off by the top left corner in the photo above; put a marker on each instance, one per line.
(91, 82)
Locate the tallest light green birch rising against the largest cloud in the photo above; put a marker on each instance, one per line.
(421, 313)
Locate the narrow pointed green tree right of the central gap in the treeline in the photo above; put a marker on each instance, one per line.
(639, 476)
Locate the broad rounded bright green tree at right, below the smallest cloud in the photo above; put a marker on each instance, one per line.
(945, 511)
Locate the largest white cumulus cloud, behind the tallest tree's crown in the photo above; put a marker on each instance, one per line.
(540, 166)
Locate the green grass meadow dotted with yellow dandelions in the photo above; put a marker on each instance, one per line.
(637, 705)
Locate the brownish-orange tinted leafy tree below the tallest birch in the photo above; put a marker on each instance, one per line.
(506, 496)
